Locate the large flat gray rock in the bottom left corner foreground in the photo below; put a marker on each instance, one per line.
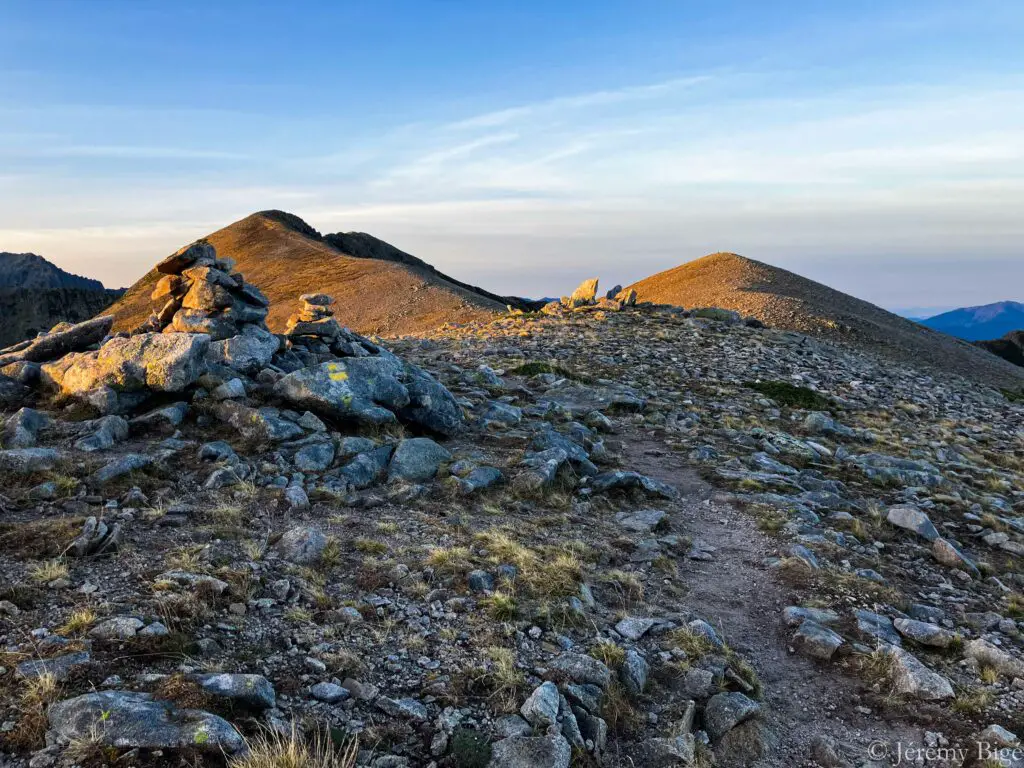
(127, 720)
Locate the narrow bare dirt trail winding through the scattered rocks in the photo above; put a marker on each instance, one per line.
(738, 593)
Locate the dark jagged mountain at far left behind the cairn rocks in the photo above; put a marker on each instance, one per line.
(35, 295)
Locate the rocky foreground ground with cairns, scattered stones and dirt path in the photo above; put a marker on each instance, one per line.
(607, 533)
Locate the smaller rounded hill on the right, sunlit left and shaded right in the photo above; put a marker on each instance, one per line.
(783, 300)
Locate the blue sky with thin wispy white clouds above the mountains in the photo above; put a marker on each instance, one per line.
(524, 147)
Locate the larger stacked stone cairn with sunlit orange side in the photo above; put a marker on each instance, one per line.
(200, 293)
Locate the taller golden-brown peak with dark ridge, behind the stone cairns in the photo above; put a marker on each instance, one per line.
(376, 294)
